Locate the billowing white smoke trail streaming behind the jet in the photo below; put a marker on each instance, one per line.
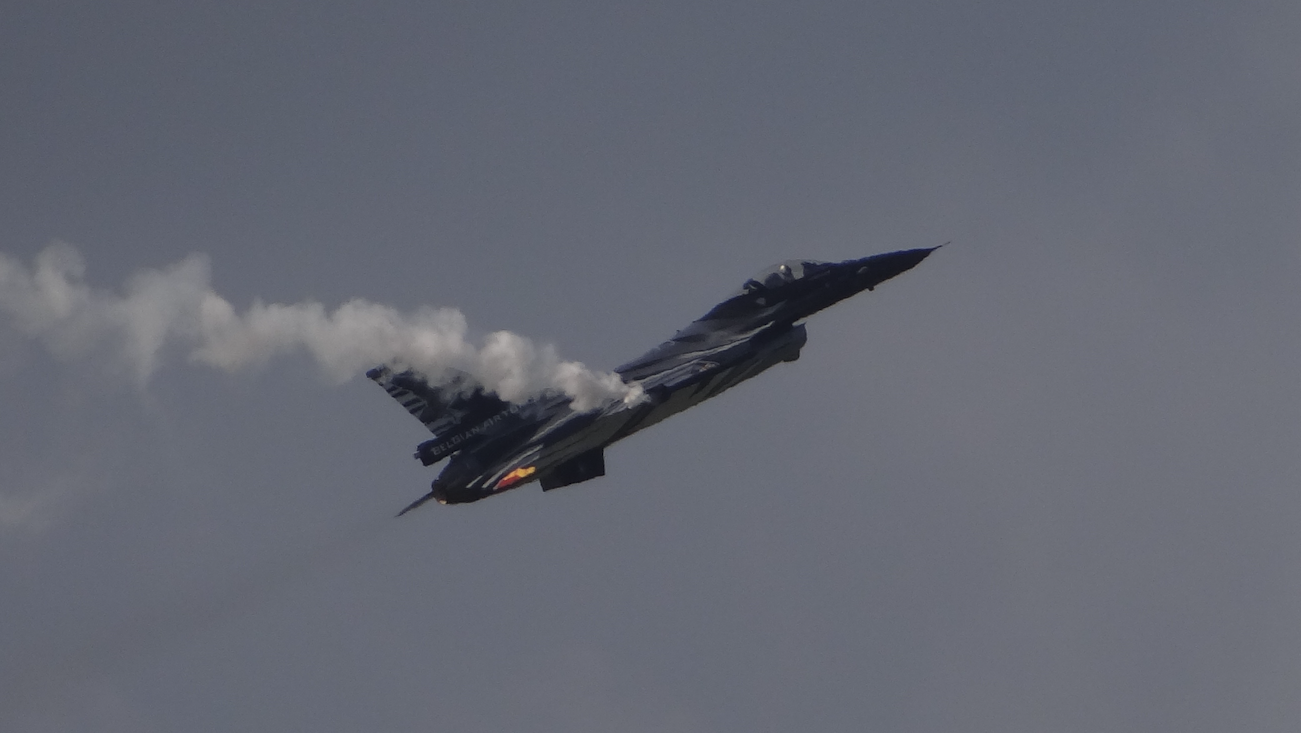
(176, 307)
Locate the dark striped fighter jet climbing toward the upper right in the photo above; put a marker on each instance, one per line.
(498, 446)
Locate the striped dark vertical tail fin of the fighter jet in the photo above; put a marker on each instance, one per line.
(446, 409)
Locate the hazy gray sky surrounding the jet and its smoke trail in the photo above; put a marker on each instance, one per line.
(1049, 481)
